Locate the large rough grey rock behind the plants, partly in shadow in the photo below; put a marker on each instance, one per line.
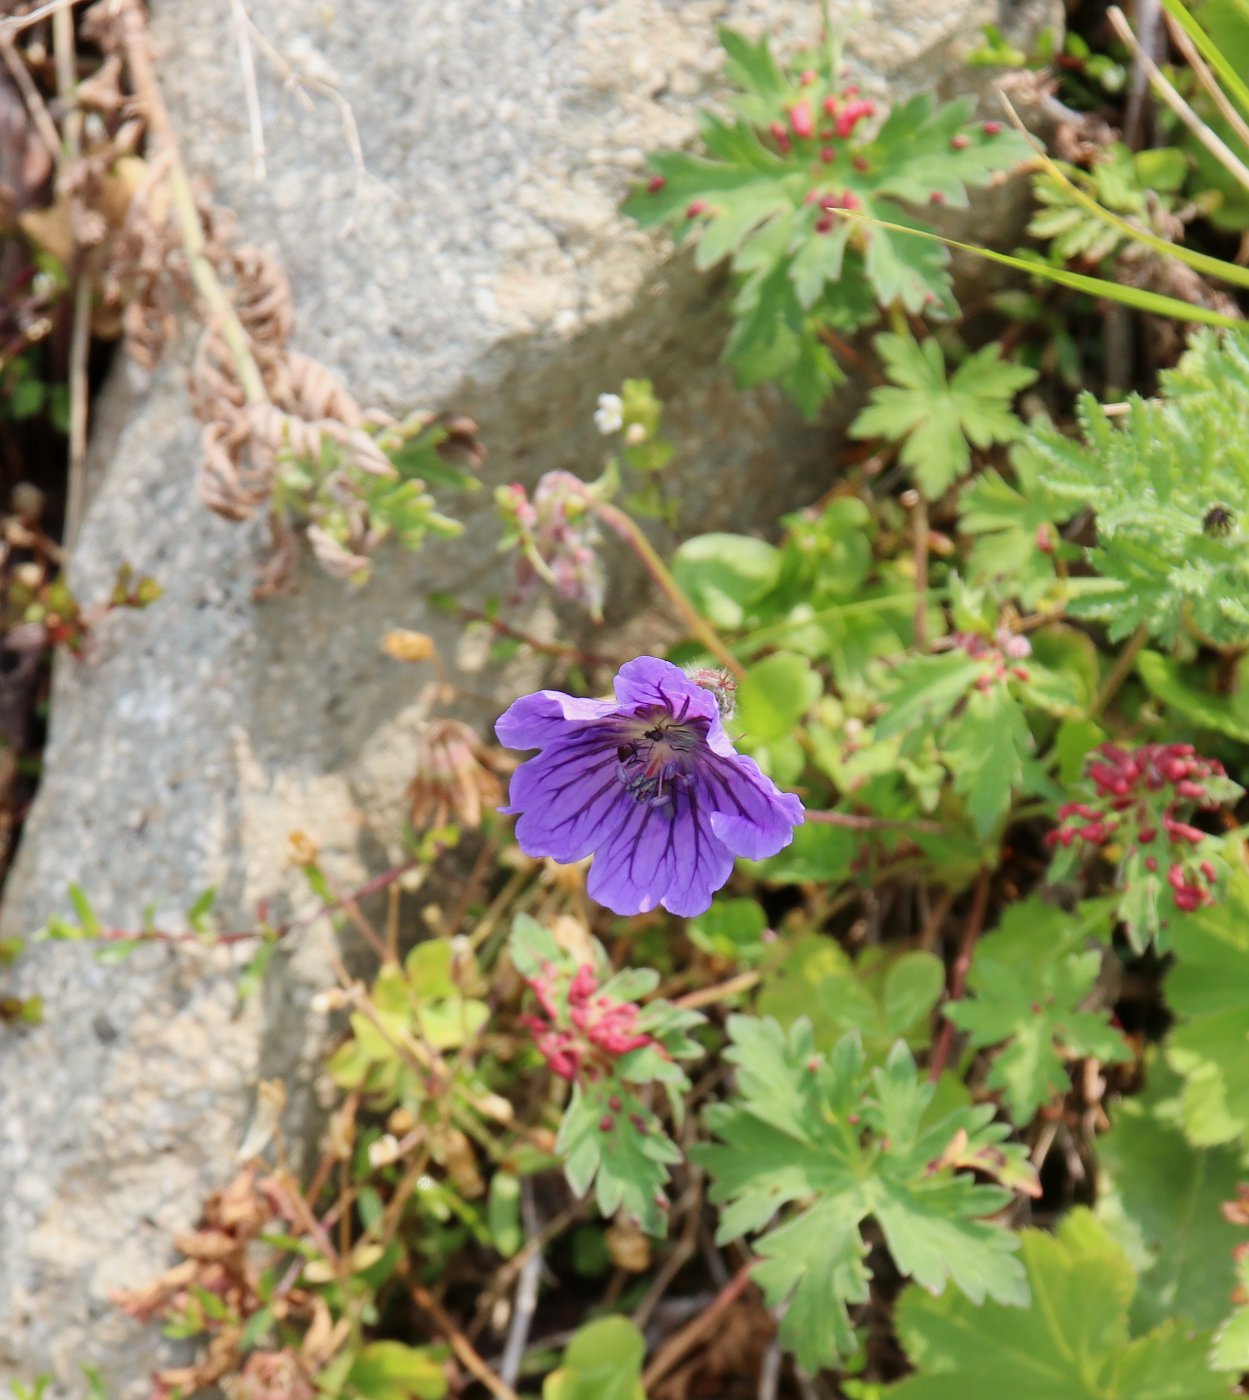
(475, 260)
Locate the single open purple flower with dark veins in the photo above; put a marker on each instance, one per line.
(649, 785)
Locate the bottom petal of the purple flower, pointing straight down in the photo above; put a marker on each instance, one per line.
(662, 856)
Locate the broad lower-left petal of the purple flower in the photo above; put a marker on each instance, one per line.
(571, 797)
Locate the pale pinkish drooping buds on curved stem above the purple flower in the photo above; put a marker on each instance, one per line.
(558, 527)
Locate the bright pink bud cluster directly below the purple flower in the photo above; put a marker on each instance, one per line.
(582, 1032)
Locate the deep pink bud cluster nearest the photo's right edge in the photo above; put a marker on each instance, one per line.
(1138, 797)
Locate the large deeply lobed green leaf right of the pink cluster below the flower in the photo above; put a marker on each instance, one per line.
(841, 1143)
